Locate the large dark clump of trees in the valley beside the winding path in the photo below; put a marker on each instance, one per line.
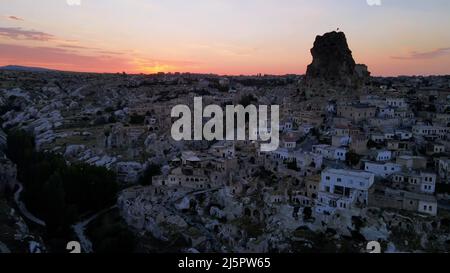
(56, 192)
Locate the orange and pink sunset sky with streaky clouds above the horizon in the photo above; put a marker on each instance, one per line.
(229, 37)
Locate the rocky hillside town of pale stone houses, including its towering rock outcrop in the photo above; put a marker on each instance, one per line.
(360, 159)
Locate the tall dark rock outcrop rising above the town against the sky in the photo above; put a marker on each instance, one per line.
(333, 62)
